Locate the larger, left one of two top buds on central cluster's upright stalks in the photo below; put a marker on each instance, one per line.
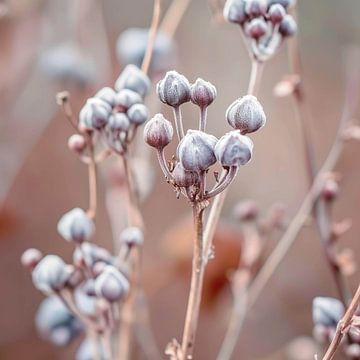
(174, 89)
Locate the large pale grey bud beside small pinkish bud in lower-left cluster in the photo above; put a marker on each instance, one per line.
(50, 274)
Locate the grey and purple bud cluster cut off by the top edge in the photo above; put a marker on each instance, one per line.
(265, 24)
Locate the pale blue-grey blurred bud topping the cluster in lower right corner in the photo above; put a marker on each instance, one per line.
(327, 311)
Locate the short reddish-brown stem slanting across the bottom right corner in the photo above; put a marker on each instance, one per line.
(343, 326)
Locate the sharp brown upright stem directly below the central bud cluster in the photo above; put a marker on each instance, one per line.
(197, 277)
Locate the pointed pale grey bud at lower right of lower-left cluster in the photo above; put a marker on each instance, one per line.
(111, 284)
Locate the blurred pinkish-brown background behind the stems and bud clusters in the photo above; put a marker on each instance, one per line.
(40, 178)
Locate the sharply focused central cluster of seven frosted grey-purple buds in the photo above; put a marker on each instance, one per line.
(197, 150)
